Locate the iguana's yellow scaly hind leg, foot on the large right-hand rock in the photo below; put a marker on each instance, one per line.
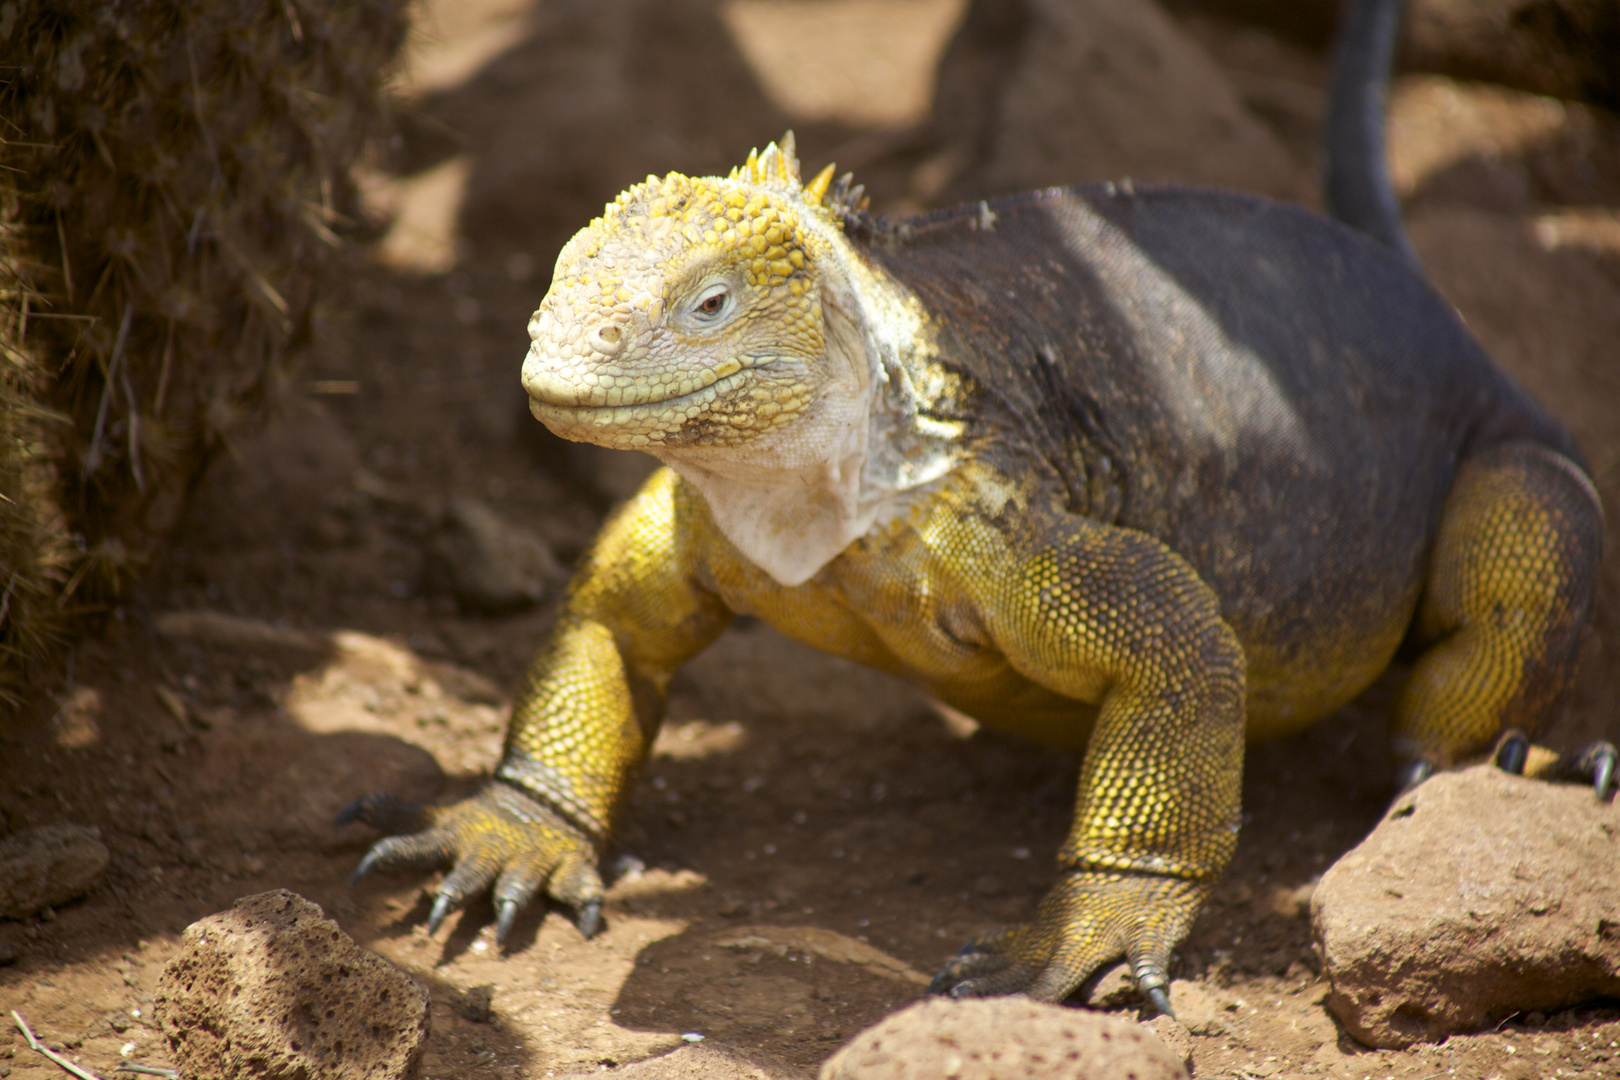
(1501, 619)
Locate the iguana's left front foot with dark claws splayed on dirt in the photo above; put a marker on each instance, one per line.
(498, 836)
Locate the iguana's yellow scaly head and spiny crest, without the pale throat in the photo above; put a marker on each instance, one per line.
(691, 317)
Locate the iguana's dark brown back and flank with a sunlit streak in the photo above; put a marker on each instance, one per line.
(1234, 376)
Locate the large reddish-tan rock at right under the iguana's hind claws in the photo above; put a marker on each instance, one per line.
(1478, 896)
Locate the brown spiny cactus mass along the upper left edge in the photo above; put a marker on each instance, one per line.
(179, 190)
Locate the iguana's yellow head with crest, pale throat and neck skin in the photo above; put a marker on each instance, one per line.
(731, 330)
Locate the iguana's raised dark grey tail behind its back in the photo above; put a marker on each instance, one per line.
(1357, 184)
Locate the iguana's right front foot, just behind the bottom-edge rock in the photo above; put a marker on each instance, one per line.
(1088, 921)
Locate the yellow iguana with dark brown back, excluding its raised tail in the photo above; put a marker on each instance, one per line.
(1143, 472)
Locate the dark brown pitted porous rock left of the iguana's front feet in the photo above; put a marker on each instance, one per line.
(275, 990)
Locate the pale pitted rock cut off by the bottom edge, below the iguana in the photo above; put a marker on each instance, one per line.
(1004, 1039)
